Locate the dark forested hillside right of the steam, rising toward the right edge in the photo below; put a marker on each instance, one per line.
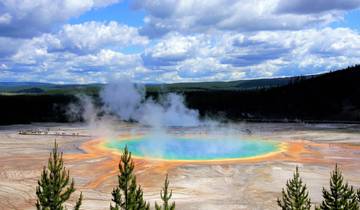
(333, 96)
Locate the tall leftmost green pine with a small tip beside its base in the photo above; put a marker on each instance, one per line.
(54, 187)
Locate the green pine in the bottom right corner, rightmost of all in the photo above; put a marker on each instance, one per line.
(341, 196)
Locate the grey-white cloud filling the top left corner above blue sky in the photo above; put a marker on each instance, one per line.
(27, 18)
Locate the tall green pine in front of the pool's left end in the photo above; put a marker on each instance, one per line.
(127, 195)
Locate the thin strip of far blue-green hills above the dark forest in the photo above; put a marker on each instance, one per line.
(48, 88)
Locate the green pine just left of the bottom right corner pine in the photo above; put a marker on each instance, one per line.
(296, 196)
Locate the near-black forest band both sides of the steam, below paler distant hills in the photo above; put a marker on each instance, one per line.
(329, 97)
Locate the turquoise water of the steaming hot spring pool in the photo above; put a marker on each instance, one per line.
(183, 148)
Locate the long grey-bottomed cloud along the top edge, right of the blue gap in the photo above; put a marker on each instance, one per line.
(230, 15)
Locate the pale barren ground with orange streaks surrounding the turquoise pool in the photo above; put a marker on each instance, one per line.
(225, 185)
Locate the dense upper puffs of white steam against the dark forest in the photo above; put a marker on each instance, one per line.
(128, 102)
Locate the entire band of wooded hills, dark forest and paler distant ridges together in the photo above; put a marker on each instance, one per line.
(330, 97)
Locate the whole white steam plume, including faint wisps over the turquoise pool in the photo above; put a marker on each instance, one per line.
(126, 101)
